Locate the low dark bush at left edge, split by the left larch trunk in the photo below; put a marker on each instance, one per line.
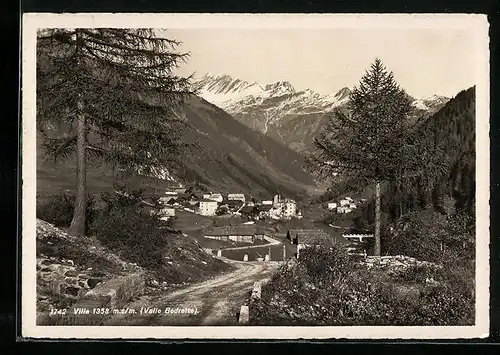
(58, 209)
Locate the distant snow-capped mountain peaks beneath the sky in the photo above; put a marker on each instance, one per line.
(278, 110)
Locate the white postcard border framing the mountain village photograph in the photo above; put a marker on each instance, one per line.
(32, 21)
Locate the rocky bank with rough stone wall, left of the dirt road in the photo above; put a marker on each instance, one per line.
(79, 272)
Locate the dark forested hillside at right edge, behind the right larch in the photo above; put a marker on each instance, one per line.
(452, 129)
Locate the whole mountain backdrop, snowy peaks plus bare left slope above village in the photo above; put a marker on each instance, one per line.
(250, 138)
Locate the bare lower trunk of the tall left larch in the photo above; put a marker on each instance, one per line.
(77, 227)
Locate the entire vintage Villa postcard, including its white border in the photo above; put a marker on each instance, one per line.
(255, 176)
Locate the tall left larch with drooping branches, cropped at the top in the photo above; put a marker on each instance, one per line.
(116, 92)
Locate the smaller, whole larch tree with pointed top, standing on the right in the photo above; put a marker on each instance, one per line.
(373, 138)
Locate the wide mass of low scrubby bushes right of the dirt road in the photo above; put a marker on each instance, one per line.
(326, 288)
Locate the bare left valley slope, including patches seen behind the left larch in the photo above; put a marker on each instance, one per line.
(229, 157)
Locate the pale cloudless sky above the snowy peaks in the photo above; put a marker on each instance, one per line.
(424, 61)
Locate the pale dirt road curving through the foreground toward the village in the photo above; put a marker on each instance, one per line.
(212, 302)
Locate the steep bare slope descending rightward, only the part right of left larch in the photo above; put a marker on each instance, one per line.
(232, 157)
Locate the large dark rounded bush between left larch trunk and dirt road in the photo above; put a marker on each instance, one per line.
(132, 230)
